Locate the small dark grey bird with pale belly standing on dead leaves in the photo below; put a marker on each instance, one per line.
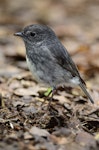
(48, 60)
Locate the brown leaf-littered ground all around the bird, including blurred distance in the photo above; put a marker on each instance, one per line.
(72, 122)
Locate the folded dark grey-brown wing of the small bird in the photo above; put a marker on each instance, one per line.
(64, 60)
